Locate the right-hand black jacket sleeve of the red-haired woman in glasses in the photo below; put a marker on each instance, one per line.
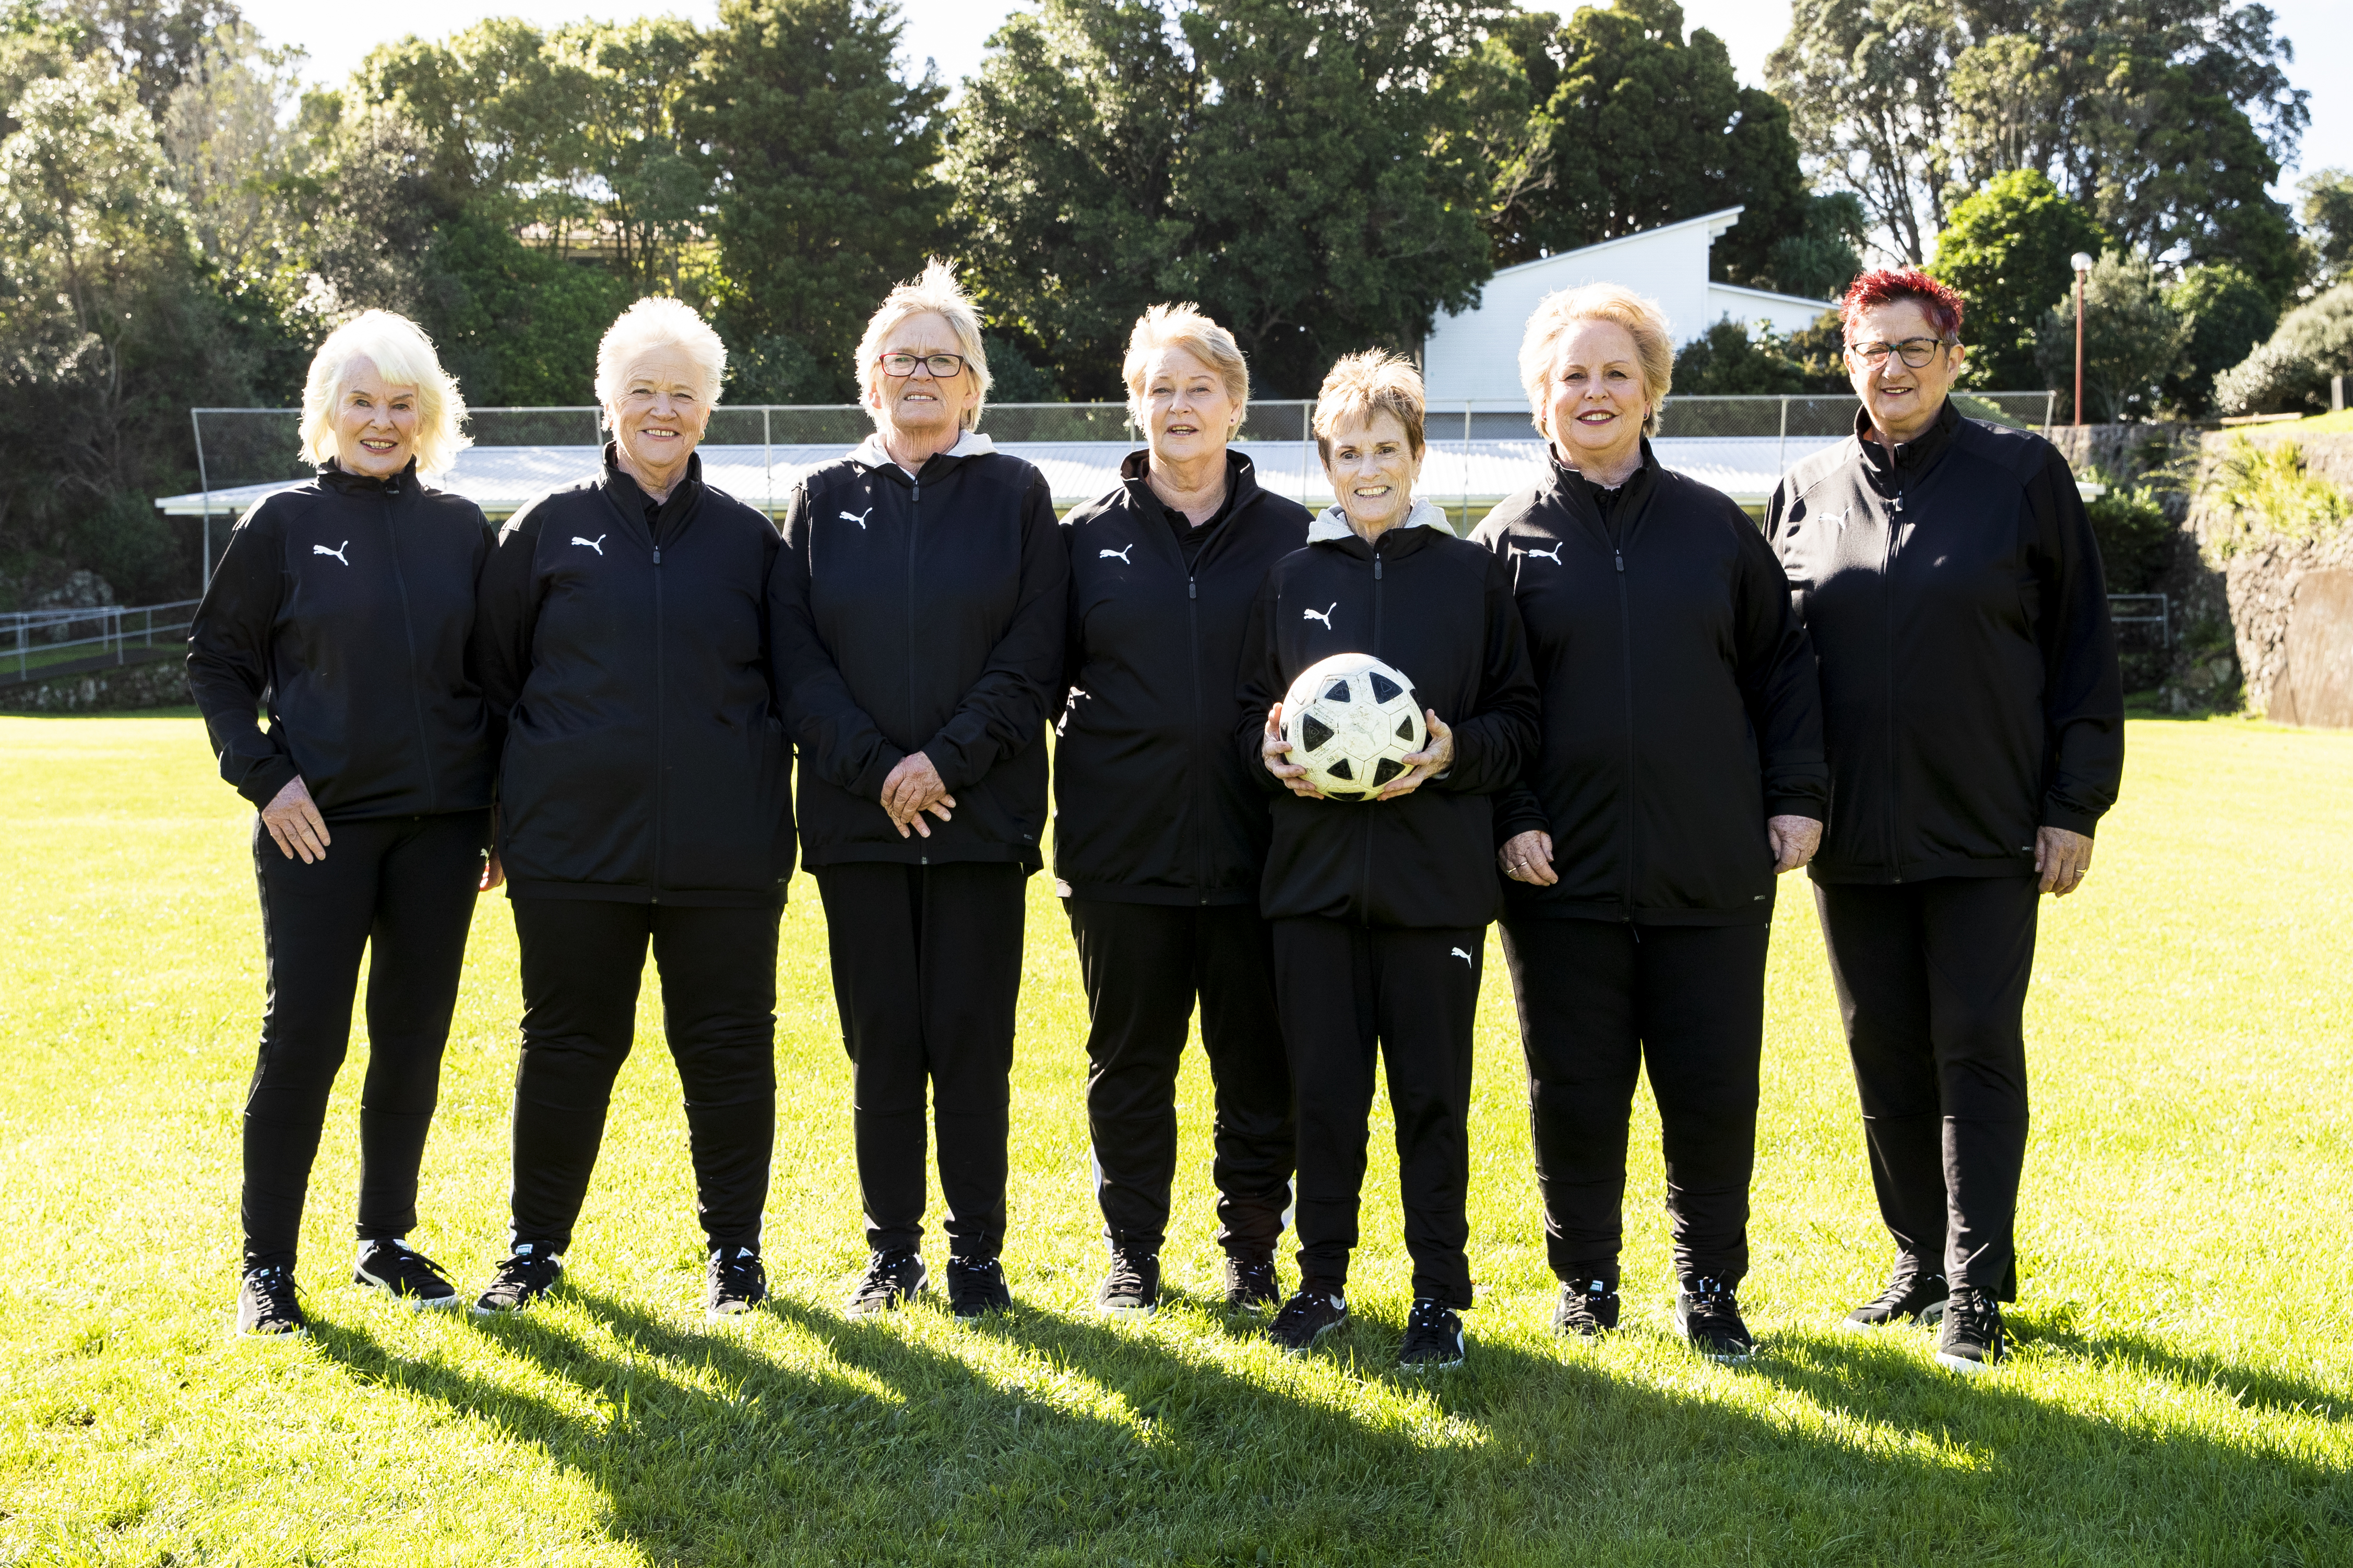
(2084, 690)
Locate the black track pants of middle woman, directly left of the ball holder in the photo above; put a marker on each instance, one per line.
(1145, 965)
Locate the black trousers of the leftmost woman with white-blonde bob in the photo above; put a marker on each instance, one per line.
(399, 890)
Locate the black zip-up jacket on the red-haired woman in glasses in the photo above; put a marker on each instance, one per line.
(1968, 669)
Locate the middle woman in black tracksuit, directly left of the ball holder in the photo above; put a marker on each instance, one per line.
(1159, 838)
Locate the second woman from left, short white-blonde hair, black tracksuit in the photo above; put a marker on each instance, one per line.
(644, 800)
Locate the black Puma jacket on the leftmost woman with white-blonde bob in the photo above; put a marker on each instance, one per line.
(345, 608)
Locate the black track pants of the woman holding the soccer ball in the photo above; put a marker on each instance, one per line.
(1411, 996)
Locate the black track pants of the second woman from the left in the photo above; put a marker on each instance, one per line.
(582, 965)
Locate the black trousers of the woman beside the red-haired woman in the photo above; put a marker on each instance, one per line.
(1601, 1000)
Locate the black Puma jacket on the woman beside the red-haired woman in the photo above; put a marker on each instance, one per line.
(1679, 702)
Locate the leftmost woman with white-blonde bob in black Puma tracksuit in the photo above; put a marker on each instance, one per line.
(342, 610)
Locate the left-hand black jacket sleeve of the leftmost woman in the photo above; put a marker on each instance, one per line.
(229, 657)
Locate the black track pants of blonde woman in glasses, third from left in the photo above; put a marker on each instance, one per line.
(926, 977)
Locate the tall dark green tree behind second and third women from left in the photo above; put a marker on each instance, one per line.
(827, 192)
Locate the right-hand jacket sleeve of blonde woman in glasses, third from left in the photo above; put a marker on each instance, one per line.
(1025, 676)
